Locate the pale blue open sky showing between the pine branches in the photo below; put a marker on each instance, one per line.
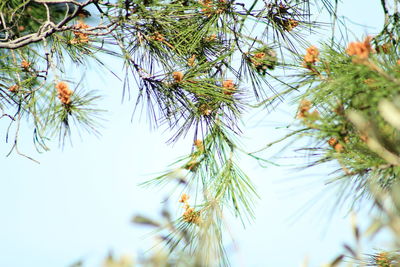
(78, 202)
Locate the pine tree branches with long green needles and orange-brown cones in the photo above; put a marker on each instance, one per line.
(198, 67)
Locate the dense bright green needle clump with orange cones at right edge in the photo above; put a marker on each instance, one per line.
(340, 86)
